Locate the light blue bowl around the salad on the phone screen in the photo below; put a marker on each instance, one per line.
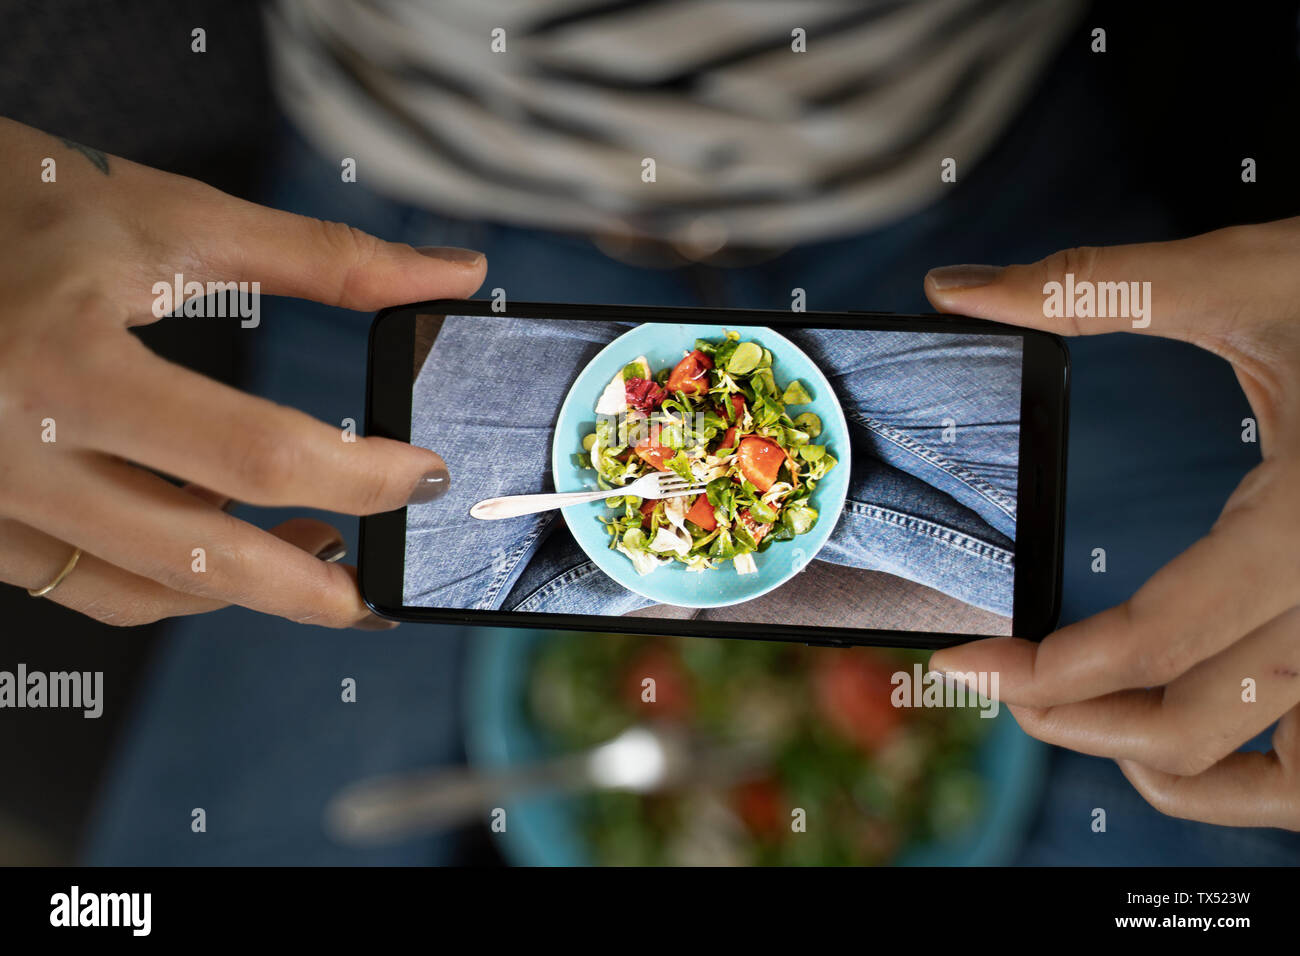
(673, 585)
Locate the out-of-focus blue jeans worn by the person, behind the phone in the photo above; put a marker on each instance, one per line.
(242, 716)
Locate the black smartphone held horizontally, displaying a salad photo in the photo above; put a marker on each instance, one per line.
(829, 478)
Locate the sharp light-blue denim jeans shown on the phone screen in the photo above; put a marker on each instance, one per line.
(935, 513)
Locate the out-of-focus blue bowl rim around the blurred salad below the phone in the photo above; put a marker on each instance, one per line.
(543, 832)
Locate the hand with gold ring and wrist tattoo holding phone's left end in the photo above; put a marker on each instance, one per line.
(79, 262)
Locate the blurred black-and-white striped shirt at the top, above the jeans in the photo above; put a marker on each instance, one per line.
(700, 123)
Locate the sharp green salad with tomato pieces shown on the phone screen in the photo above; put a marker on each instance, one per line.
(718, 418)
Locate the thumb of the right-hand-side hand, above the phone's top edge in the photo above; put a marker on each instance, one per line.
(1175, 289)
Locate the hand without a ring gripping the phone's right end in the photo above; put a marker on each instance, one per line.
(1207, 654)
